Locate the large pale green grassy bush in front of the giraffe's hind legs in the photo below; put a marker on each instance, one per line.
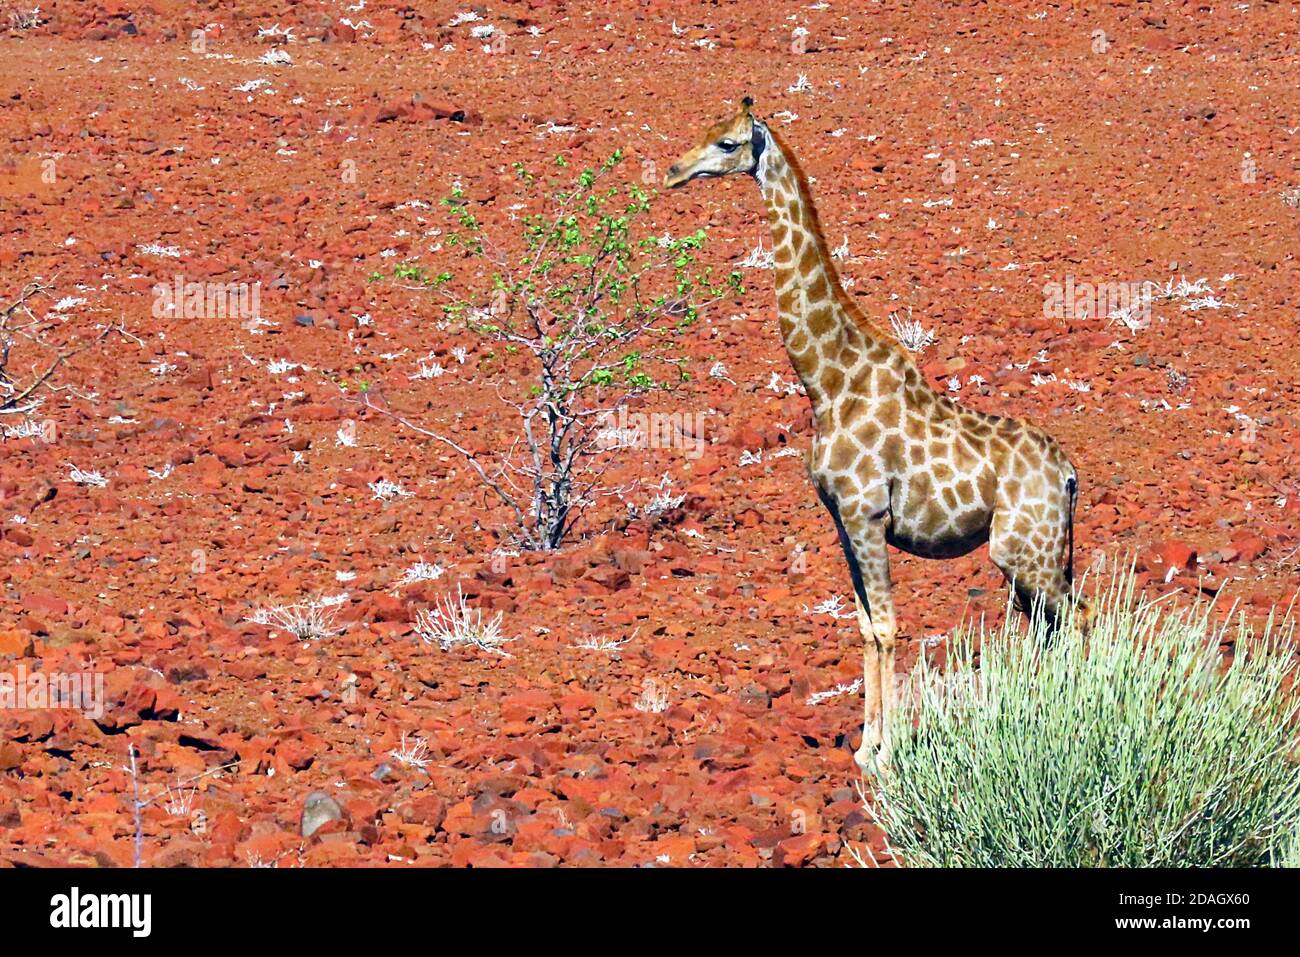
(1132, 747)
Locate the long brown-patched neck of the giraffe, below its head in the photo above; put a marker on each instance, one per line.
(822, 337)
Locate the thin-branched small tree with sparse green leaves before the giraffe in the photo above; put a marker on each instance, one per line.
(592, 311)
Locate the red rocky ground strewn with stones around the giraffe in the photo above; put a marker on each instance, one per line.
(1158, 149)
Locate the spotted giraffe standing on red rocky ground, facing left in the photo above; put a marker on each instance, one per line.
(894, 461)
